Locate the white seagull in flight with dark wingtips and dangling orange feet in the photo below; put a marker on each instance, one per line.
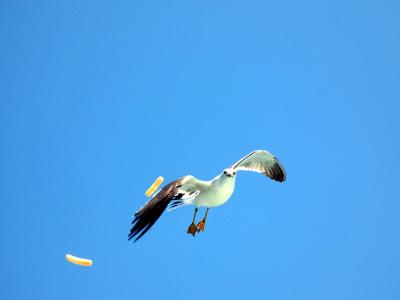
(189, 190)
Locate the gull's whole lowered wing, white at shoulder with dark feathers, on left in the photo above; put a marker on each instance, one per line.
(175, 194)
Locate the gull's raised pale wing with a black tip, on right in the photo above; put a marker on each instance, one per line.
(262, 161)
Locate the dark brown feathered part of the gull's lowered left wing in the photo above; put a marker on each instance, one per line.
(147, 215)
